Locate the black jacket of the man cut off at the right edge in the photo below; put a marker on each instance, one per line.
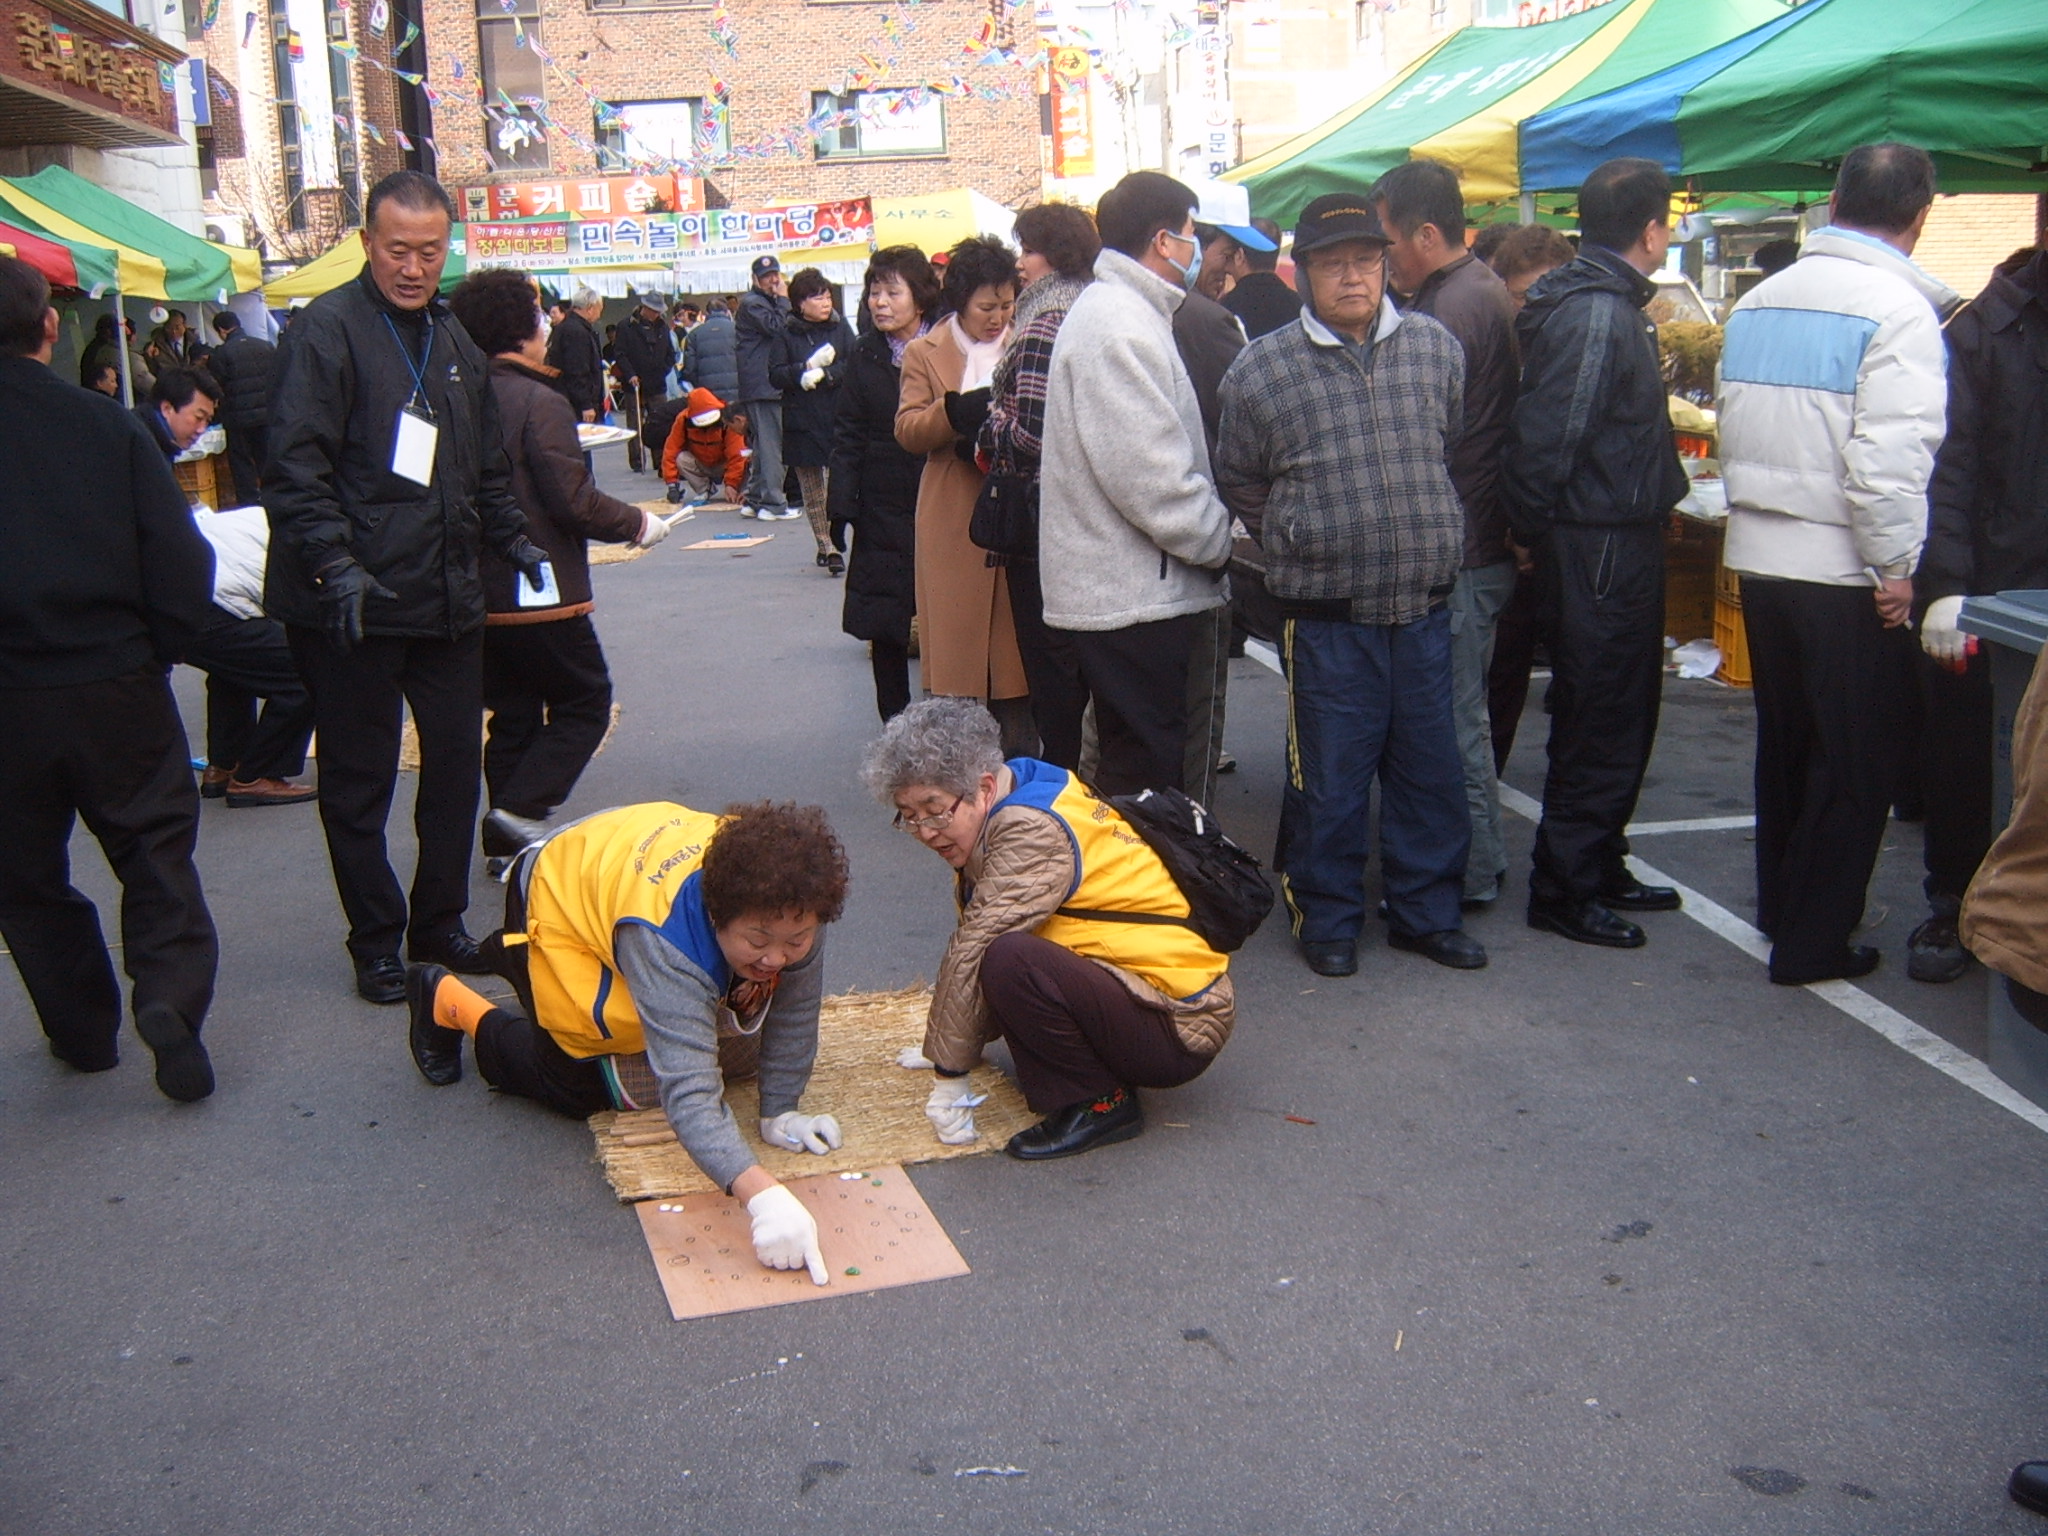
(1988, 509)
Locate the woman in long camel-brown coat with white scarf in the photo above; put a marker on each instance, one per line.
(966, 638)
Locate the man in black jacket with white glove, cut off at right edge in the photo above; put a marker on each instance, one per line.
(1988, 531)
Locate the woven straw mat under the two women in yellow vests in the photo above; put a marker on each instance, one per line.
(857, 1080)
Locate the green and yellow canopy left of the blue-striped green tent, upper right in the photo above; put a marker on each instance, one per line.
(1465, 99)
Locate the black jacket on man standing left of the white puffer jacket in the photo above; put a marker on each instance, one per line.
(1590, 435)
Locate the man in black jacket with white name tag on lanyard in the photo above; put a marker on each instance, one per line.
(386, 478)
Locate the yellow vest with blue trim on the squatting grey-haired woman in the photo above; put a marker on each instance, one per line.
(1115, 871)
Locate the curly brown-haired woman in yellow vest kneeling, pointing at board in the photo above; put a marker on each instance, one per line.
(663, 953)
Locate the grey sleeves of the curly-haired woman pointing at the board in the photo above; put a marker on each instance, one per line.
(679, 1009)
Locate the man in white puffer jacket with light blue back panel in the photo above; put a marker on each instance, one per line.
(1834, 396)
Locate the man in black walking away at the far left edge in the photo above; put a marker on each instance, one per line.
(103, 585)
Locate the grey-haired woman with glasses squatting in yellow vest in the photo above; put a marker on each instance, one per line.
(1072, 943)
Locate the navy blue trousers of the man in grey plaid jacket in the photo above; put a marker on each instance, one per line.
(1373, 701)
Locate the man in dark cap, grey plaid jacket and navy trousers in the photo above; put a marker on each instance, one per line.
(1334, 450)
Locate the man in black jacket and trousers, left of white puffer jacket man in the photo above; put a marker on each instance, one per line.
(1592, 478)
